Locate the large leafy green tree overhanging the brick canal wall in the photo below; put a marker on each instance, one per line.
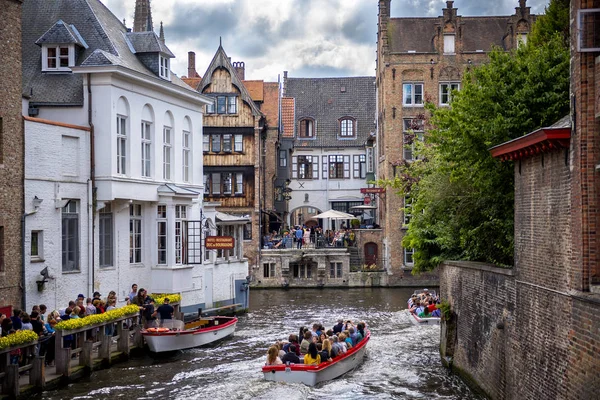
(463, 195)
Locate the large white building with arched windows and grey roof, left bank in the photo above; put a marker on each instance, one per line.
(139, 168)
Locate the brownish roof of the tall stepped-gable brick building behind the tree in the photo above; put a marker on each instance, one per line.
(478, 33)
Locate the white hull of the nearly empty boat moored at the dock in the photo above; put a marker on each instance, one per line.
(179, 340)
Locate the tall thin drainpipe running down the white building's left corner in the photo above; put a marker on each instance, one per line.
(91, 194)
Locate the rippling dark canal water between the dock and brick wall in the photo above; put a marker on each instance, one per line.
(402, 360)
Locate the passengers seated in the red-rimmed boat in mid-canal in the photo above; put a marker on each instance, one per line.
(316, 345)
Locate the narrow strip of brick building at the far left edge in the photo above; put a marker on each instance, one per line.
(11, 156)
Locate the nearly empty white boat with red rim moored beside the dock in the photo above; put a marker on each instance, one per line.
(174, 335)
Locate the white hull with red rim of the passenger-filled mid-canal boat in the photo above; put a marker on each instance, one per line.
(312, 374)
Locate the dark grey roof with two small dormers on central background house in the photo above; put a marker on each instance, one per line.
(326, 100)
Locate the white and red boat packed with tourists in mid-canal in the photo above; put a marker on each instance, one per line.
(317, 355)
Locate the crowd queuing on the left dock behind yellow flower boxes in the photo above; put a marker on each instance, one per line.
(42, 322)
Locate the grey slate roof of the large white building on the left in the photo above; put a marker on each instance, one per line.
(103, 33)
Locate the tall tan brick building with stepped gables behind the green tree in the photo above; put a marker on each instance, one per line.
(422, 60)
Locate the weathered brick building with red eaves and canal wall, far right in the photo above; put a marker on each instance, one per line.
(539, 336)
